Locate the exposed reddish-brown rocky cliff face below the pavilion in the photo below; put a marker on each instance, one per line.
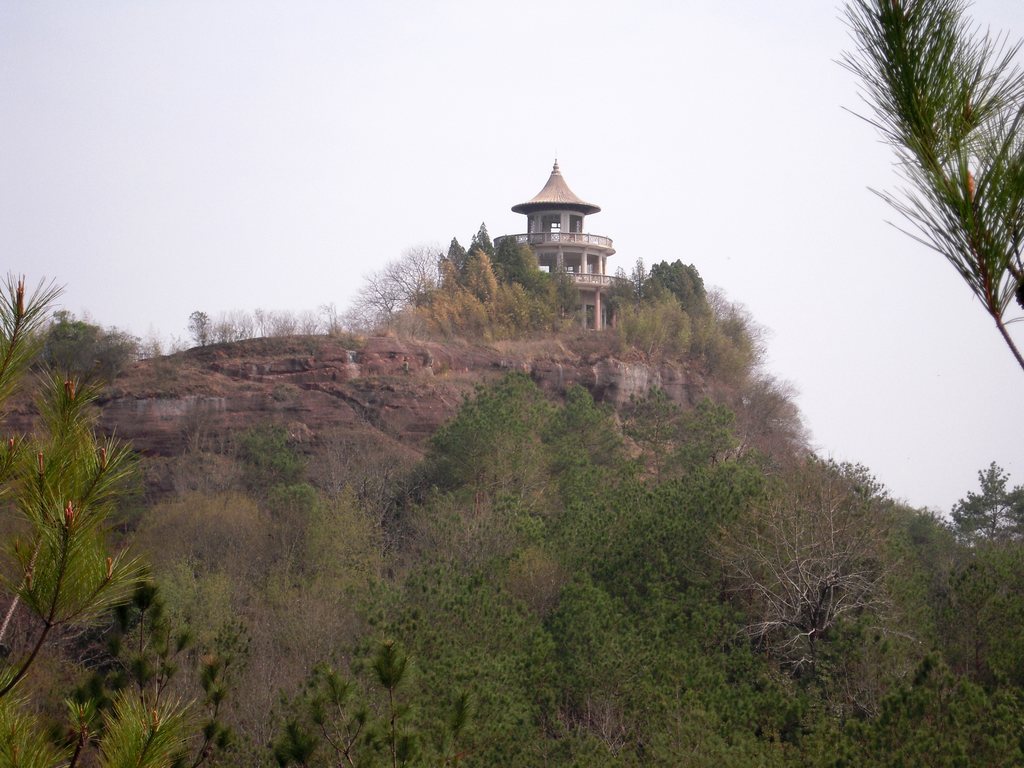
(401, 391)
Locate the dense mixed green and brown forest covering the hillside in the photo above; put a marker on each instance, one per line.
(551, 582)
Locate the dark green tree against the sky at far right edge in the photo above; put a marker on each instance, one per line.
(996, 513)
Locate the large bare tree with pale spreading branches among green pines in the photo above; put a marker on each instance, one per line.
(808, 557)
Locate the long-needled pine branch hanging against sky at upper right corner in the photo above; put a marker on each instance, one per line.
(951, 103)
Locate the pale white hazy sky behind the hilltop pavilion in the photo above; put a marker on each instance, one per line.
(168, 156)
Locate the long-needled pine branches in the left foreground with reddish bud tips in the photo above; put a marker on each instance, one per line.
(62, 484)
